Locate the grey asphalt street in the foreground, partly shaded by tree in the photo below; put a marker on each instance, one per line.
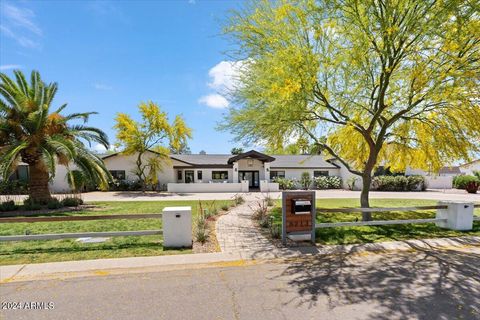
(419, 284)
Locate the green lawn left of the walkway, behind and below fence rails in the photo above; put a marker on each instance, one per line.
(19, 252)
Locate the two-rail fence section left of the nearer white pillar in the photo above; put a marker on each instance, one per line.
(81, 234)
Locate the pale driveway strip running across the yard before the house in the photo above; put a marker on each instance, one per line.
(458, 195)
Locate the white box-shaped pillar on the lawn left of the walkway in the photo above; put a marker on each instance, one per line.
(177, 227)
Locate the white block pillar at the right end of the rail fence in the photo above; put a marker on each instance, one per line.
(458, 215)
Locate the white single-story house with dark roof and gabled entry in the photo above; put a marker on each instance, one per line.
(248, 171)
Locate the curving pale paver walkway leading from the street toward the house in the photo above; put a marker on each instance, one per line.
(236, 231)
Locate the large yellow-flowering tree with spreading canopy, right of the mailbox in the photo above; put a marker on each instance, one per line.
(368, 81)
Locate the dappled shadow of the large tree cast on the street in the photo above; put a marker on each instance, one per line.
(426, 284)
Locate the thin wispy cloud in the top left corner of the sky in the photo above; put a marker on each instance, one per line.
(18, 24)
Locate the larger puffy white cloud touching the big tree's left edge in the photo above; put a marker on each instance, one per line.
(225, 75)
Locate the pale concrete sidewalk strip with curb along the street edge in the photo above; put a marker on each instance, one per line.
(69, 269)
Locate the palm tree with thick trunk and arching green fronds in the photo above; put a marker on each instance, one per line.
(31, 133)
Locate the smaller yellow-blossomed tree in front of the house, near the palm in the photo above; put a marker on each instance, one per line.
(153, 133)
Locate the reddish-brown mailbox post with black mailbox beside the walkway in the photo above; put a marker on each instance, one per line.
(298, 216)
